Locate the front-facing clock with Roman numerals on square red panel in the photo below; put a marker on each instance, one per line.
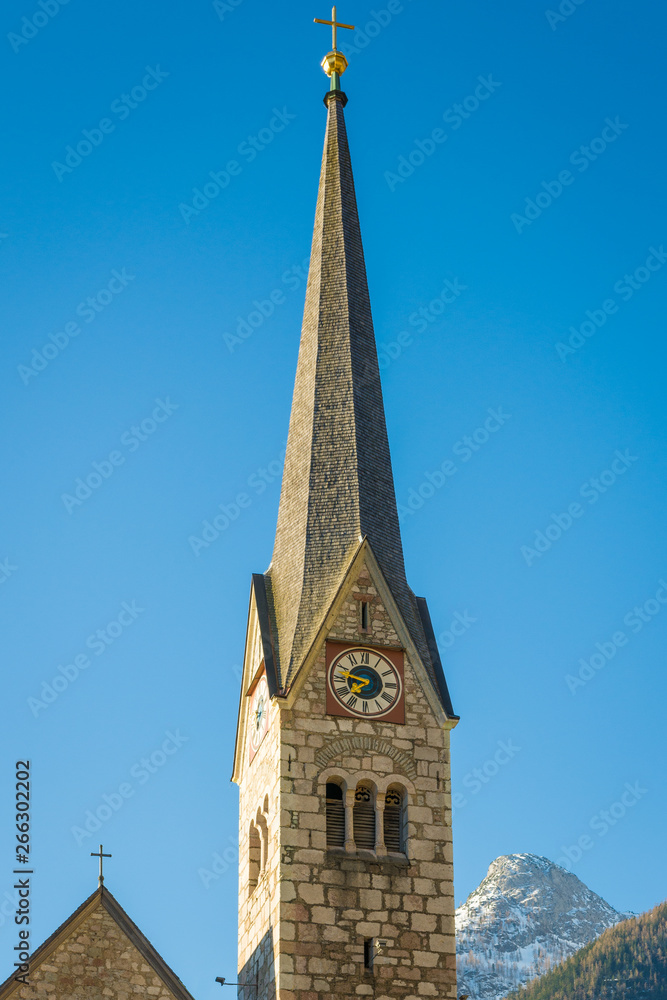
(365, 683)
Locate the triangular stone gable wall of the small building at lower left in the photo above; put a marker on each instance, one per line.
(97, 953)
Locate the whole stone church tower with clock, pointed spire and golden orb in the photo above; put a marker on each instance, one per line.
(342, 748)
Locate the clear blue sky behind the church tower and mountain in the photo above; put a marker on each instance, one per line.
(518, 266)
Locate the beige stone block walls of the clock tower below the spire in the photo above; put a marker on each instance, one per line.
(303, 926)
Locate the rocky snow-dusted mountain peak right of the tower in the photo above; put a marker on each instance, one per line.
(527, 915)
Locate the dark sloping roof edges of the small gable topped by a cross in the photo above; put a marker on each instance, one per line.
(103, 899)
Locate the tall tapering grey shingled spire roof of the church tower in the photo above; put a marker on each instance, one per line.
(338, 484)
